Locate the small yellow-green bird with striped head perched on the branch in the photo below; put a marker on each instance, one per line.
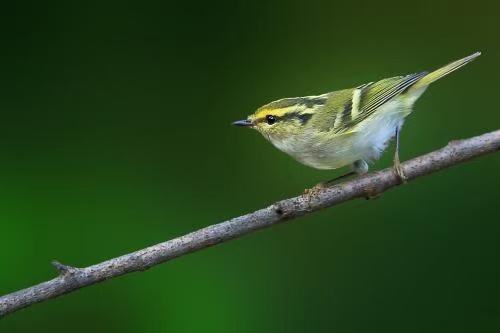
(345, 127)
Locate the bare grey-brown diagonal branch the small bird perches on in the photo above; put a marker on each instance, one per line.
(72, 278)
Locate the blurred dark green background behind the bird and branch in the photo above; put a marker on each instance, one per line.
(115, 135)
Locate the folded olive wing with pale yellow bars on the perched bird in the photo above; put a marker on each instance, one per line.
(366, 99)
